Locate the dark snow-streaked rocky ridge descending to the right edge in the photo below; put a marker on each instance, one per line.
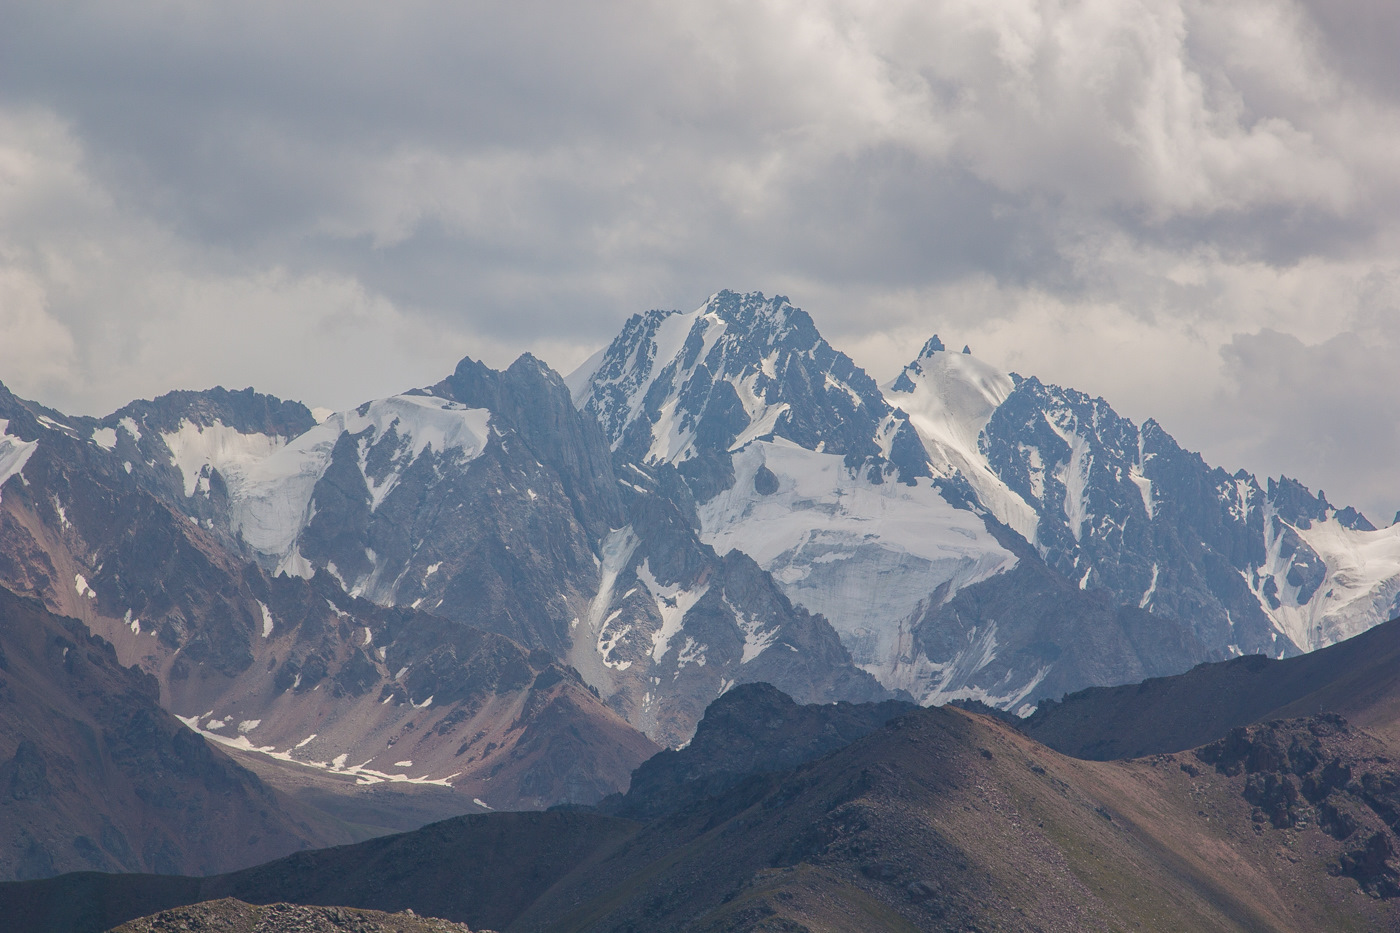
(1126, 509)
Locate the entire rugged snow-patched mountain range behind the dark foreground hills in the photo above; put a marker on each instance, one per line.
(513, 588)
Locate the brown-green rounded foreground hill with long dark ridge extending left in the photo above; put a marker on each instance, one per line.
(937, 820)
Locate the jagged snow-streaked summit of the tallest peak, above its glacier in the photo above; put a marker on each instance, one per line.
(741, 368)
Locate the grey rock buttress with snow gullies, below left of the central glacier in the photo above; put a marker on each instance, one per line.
(674, 624)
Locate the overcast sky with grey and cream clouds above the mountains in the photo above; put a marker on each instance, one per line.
(1191, 208)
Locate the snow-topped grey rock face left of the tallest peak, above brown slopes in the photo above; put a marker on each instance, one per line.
(419, 499)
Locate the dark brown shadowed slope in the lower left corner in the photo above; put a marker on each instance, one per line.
(94, 775)
